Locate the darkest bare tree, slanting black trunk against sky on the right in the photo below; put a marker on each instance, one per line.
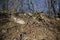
(51, 7)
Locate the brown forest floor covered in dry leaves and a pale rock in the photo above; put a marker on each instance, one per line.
(30, 27)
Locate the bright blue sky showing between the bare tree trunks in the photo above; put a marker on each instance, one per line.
(41, 5)
